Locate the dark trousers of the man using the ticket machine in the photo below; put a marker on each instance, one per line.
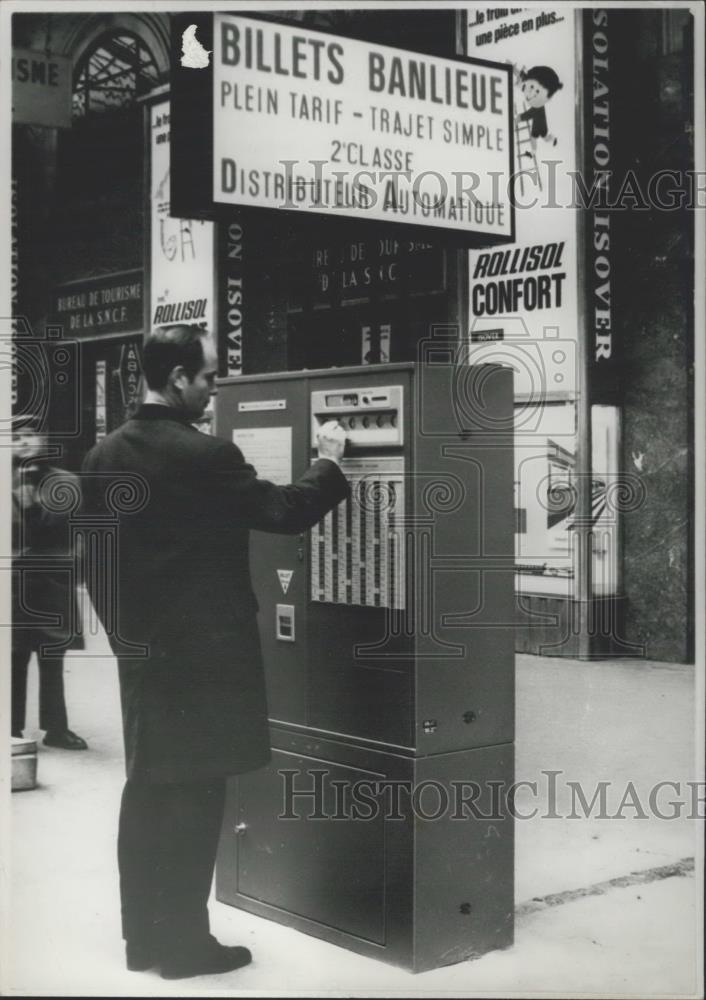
(167, 843)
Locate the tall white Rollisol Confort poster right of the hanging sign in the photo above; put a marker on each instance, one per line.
(529, 288)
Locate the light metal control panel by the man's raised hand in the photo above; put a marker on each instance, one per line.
(372, 418)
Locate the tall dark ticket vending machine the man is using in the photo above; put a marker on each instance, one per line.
(382, 822)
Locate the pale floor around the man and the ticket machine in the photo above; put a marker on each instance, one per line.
(626, 723)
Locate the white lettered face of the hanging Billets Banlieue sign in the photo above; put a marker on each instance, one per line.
(308, 121)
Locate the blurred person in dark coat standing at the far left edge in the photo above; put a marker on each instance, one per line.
(44, 606)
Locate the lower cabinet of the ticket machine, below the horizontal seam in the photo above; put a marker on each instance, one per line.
(405, 859)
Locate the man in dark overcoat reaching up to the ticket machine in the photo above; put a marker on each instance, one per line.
(193, 701)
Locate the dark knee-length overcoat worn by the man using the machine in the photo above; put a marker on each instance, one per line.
(194, 703)
